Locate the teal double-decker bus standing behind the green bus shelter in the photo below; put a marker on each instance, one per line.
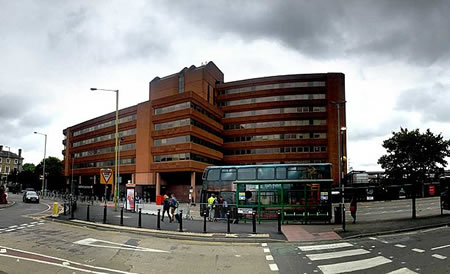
(300, 192)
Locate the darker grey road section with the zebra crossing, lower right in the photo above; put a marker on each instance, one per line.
(424, 251)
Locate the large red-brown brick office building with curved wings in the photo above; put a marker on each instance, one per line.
(194, 119)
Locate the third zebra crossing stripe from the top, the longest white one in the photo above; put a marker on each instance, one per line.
(353, 265)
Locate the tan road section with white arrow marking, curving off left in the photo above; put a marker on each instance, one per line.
(32, 245)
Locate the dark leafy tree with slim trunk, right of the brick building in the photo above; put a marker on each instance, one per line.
(412, 157)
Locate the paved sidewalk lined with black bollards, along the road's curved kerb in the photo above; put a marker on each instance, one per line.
(266, 231)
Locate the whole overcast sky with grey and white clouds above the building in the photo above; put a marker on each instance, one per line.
(395, 56)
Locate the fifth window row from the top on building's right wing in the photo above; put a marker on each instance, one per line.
(308, 135)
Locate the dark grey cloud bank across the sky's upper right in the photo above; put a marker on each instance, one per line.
(412, 31)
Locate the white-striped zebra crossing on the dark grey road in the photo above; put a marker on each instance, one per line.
(344, 257)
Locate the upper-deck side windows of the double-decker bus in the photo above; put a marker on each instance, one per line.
(269, 173)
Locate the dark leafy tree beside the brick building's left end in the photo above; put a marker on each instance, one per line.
(53, 173)
